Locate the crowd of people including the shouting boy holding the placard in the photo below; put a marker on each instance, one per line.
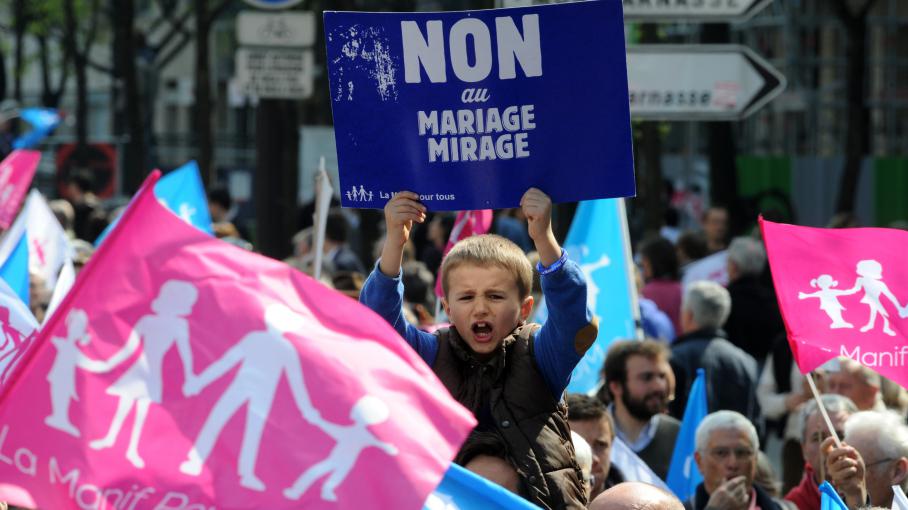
(764, 443)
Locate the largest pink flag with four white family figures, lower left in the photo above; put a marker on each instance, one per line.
(184, 373)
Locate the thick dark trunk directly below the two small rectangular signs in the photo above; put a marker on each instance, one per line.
(276, 175)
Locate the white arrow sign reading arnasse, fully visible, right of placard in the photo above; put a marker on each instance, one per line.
(699, 82)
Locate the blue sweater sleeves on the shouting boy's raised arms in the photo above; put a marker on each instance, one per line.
(554, 344)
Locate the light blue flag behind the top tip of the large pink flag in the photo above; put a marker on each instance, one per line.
(182, 192)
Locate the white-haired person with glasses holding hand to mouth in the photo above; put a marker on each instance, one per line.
(726, 454)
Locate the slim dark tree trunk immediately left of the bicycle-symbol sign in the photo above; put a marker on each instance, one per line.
(203, 108)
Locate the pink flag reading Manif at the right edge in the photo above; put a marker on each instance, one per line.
(842, 292)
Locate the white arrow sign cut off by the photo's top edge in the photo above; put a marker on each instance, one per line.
(706, 11)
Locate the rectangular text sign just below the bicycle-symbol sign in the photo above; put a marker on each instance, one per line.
(277, 73)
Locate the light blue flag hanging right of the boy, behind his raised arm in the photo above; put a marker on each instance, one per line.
(598, 242)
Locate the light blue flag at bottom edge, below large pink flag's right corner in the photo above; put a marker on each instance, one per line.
(462, 490)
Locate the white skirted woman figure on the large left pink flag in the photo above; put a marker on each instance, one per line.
(142, 383)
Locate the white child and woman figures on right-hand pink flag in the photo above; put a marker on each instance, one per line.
(870, 281)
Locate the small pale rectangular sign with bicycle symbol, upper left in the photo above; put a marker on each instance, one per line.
(286, 29)
